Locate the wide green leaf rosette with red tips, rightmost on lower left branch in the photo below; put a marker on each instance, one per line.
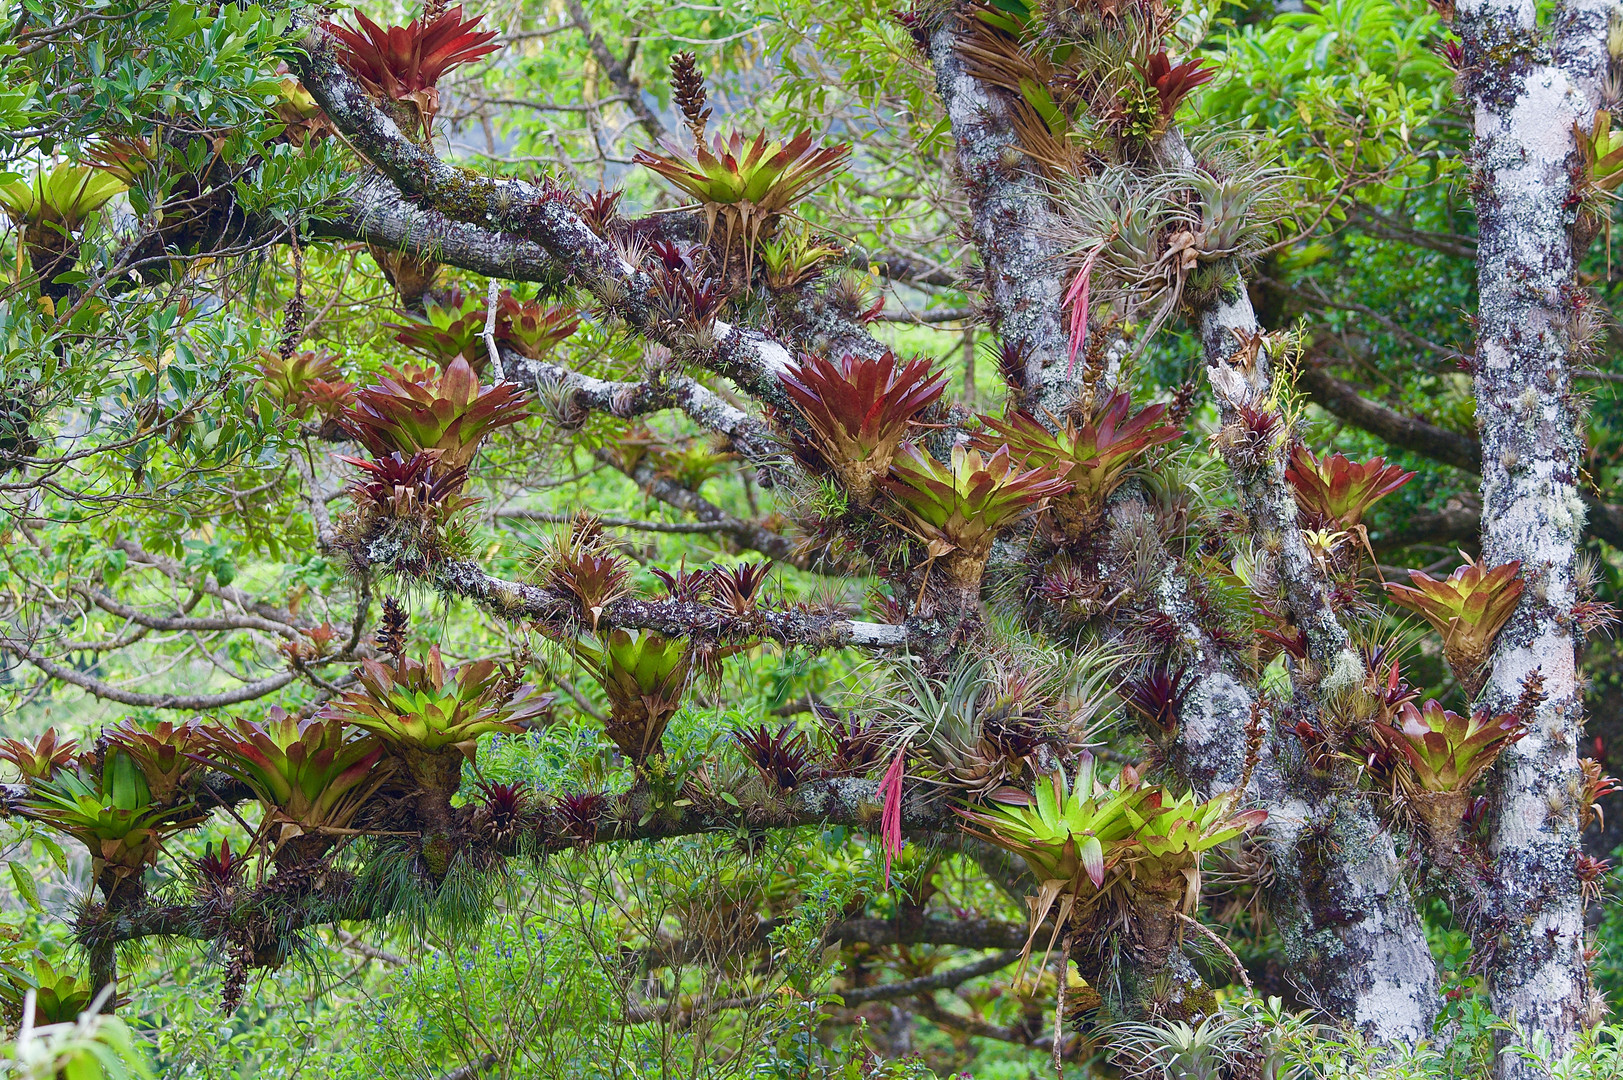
(426, 707)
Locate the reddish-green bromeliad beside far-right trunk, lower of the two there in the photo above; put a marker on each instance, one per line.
(1445, 754)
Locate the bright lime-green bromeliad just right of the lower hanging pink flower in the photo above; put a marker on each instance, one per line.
(1075, 839)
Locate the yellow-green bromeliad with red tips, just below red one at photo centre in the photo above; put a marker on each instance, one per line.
(960, 508)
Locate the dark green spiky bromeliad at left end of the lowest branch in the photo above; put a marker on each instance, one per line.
(106, 805)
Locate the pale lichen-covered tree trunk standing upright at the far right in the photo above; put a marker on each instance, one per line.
(1531, 90)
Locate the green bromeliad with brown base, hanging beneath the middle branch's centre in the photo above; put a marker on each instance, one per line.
(645, 675)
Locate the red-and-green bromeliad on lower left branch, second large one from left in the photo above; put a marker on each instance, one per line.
(312, 775)
